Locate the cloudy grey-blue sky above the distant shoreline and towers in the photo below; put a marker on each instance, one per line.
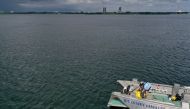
(95, 5)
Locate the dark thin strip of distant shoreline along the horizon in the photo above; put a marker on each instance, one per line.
(98, 13)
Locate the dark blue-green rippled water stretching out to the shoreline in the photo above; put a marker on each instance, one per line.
(73, 61)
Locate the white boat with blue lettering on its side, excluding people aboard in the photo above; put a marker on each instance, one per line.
(158, 97)
